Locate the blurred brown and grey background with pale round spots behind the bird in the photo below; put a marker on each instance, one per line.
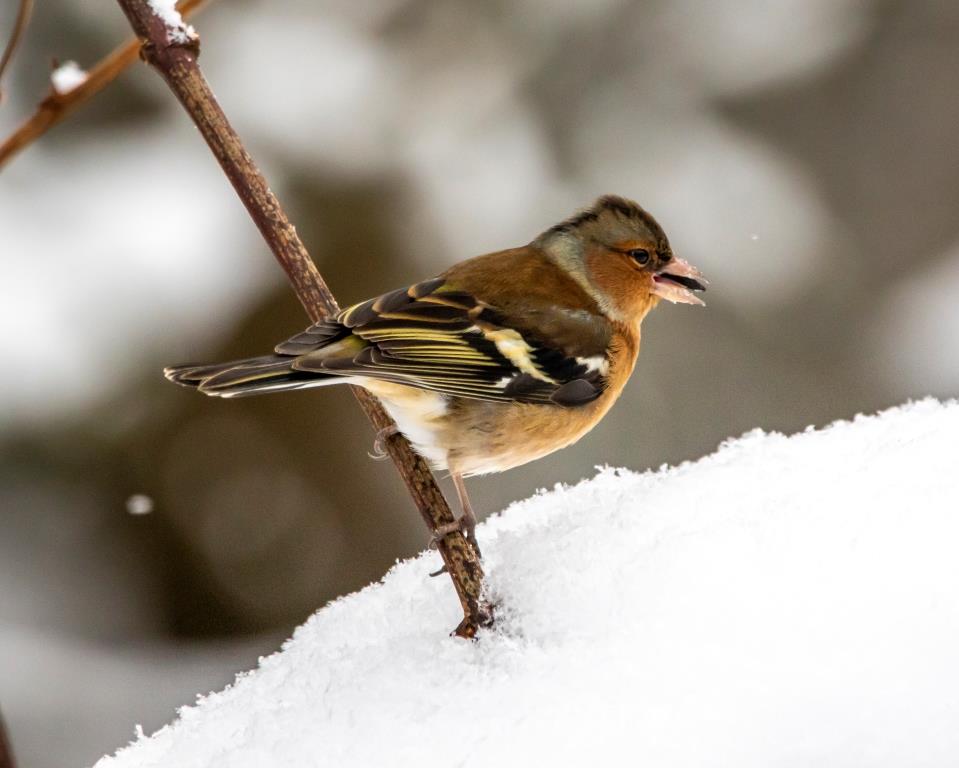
(803, 153)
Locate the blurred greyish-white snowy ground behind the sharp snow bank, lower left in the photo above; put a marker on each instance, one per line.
(112, 679)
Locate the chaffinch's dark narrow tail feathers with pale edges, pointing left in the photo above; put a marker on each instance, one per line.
(250, 376)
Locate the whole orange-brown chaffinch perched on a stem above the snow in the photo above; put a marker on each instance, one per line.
(500, 360)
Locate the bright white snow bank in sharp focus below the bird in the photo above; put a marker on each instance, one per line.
(785, 601)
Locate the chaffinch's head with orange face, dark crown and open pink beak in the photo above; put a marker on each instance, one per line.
(621, 256)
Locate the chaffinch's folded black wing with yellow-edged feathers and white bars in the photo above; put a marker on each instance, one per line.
(434, 336)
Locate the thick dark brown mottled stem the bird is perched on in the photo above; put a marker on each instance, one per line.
(173, 51)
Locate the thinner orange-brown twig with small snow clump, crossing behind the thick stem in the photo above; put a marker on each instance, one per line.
(56, 106)
